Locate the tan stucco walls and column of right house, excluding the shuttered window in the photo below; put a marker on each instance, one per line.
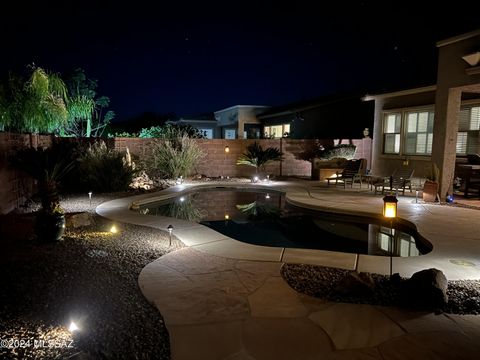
(457, 82)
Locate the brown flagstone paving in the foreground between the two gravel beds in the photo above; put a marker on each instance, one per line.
(218, 308)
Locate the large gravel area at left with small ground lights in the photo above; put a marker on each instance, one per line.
(90, 277)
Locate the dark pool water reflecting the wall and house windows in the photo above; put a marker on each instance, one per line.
(264, 218)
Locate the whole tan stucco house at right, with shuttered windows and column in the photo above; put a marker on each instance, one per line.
(437, 123)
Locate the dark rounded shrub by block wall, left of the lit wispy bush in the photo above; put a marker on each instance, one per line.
(105, 169)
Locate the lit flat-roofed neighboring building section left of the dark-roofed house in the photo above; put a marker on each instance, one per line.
(240, 121)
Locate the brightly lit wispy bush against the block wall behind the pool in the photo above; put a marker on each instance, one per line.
(174, 157)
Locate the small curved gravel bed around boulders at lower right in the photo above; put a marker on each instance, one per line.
(322, 282)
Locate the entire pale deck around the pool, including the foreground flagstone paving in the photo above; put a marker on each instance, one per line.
(223, 299)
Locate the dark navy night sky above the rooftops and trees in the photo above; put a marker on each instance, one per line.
(191, 58)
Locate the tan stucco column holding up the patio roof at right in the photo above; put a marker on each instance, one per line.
(447, 108)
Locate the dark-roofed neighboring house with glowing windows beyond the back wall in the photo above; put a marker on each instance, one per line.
(327, 117)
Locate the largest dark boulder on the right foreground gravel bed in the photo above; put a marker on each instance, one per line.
(426, 289)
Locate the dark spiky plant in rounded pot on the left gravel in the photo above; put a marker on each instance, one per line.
(47, 167)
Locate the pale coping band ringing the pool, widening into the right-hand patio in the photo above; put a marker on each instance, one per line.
(450, 240)
